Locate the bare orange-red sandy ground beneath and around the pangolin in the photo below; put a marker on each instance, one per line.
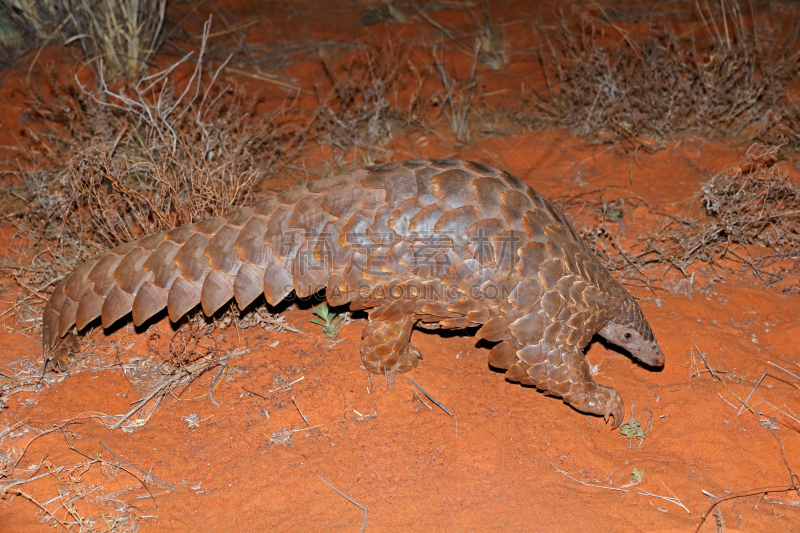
(509, 458)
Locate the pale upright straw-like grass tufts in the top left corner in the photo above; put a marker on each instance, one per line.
(122, 35)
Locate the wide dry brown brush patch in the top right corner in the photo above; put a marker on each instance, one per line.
(612, 87)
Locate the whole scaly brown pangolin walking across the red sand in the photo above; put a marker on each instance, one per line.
(437, 243)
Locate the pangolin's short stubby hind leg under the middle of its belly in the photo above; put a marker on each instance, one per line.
(384, 344)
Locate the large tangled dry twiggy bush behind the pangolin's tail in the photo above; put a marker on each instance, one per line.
(131, 163)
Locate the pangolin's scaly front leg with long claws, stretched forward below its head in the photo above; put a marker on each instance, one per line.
(564, 372)
